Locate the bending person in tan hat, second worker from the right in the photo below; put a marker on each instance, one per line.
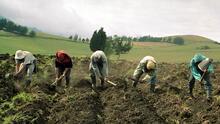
(146, 65)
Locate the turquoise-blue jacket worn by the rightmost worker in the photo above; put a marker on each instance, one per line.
(198, 57)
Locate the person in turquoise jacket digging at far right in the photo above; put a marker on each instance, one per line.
(197, 72)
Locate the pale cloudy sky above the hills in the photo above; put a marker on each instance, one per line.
(117, 17)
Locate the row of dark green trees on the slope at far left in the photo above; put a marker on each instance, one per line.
(10, 26)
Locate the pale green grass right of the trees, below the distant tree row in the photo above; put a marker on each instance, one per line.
(175, 53)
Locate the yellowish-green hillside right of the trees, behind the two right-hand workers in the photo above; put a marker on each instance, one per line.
(166, 52)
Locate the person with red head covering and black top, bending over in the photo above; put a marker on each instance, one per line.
(63, 64)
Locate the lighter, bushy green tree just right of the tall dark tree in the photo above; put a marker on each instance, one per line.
(121, 47)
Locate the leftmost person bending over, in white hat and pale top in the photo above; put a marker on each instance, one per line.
(25, 63)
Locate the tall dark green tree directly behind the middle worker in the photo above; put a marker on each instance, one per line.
(98, 40)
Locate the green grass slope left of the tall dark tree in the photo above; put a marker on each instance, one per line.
(39, 45)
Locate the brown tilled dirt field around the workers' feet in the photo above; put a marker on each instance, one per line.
(170, 104)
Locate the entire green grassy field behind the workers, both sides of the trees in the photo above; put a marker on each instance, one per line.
(163, 52)
